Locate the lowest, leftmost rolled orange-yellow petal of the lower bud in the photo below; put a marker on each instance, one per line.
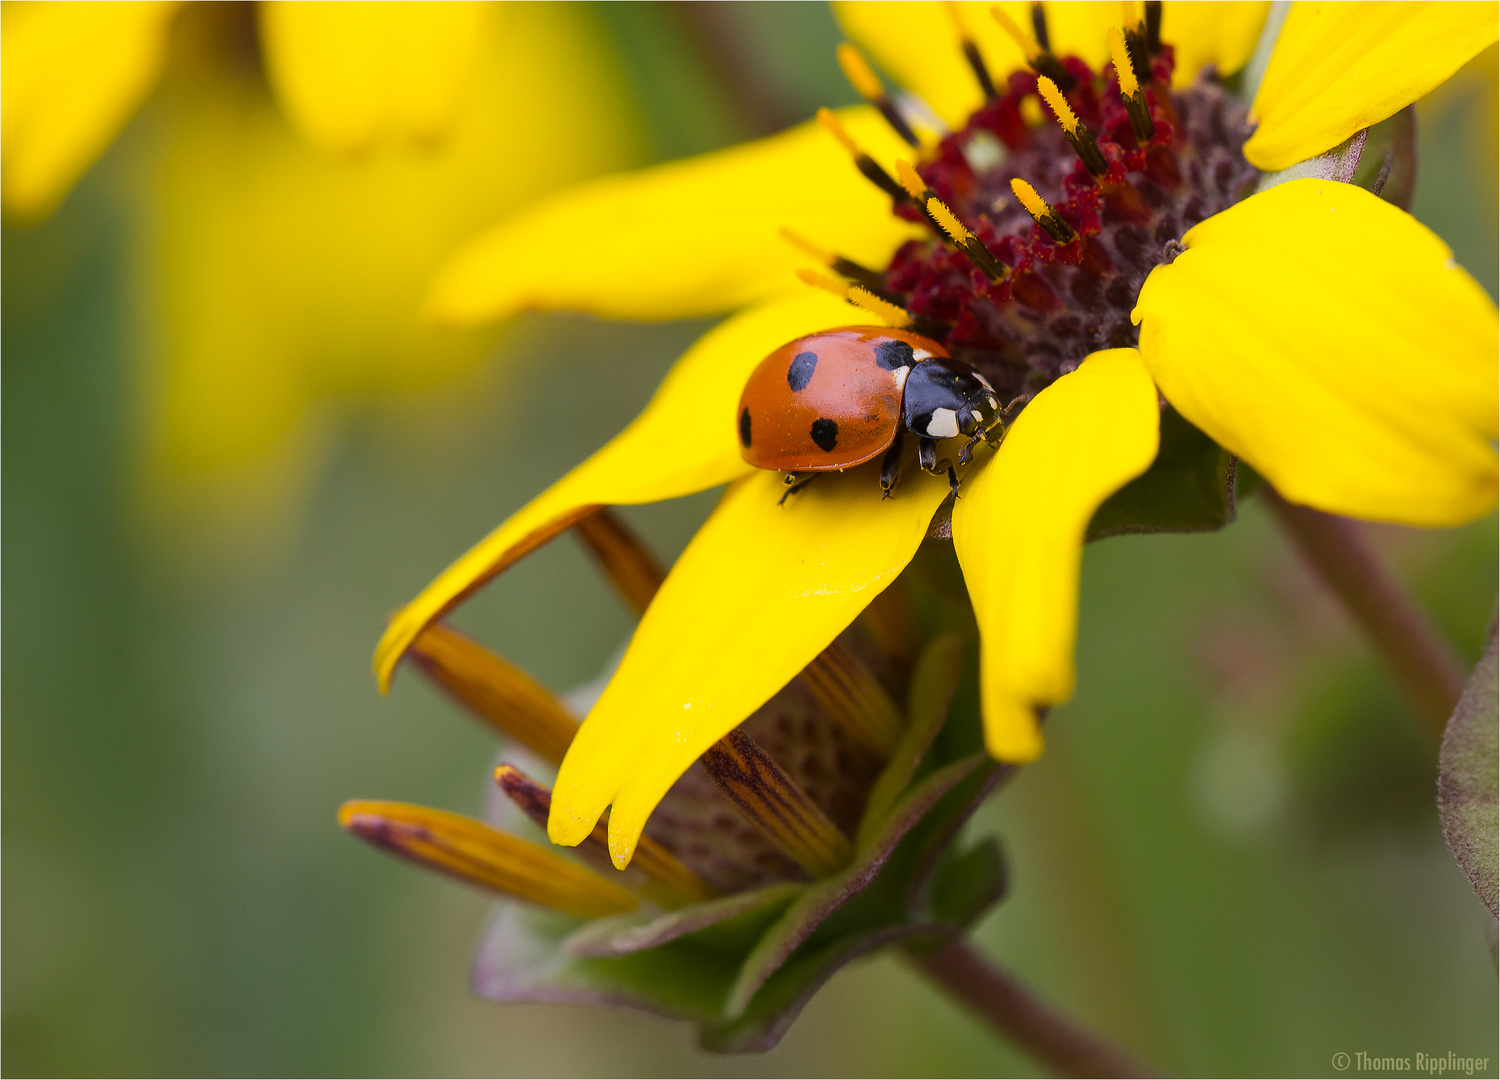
(475, 853)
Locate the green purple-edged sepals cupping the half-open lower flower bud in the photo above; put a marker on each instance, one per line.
(745, 967)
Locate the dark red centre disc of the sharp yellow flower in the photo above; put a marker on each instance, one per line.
(1072, 296)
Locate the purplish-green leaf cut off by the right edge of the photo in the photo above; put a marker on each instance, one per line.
(1466, 779)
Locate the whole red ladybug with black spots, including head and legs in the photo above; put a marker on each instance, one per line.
(841, 398)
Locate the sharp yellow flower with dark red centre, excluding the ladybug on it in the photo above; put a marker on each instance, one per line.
(1312, 329)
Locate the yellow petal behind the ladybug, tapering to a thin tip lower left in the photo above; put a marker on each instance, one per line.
(685, 442)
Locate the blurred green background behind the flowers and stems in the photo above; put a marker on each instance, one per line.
(1229, 857)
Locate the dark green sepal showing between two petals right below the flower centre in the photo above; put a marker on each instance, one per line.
(1190, 488)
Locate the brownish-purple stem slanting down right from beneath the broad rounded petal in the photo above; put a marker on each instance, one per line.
(1340, 551)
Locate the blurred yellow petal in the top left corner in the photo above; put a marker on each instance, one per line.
(71, 76)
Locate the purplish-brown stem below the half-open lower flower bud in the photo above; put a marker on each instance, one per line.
(1021, 1016)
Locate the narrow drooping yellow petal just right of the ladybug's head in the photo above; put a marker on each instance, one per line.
(1019, 535)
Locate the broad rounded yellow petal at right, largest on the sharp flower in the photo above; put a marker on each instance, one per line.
(1327, 337)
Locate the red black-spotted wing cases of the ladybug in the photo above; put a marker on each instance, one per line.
(830, 400)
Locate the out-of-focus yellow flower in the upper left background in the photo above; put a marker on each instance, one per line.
(287, 215)
